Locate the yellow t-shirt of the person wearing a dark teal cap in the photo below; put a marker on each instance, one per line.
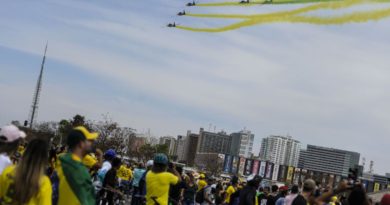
(157, 186)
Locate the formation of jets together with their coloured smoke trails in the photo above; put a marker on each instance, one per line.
(304, 14)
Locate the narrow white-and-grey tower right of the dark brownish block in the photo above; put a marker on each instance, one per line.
(242, 143)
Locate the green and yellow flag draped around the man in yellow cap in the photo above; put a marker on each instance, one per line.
(75, 184)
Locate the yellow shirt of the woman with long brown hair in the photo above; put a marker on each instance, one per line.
(43, 197)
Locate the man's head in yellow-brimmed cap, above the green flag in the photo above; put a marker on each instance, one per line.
(80, 141)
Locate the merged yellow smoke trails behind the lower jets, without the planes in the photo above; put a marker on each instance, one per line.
(294, 16)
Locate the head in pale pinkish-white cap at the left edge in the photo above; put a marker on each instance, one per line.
(10, 137)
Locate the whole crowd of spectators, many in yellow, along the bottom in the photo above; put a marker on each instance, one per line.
(35, 173)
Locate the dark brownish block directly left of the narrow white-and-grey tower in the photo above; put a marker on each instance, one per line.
(210, 142)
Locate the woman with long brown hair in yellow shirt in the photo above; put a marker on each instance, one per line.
(26, 182)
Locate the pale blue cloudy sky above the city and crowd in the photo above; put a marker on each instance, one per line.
(324, 85)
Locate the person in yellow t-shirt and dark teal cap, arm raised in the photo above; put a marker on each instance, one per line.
(158, 181)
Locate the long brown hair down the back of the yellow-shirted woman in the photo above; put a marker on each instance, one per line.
(30, 169)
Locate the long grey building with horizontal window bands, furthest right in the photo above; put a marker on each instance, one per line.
(328, 160)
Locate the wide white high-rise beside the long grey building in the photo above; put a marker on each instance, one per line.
(280, 150)
